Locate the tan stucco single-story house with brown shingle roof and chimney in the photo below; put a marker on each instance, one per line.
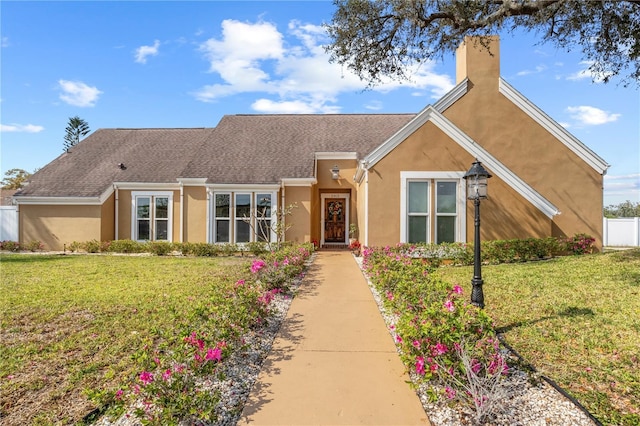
(398, 177)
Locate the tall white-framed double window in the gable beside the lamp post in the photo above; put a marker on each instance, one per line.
(430, 206)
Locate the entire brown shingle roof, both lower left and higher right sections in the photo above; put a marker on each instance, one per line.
(242, 149)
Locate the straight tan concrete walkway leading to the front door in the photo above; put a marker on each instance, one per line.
(333, 361)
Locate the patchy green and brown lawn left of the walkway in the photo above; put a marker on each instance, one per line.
(74, 323)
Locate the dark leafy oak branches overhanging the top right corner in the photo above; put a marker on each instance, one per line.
(384, 38)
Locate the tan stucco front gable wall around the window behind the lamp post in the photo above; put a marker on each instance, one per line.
(505, 214)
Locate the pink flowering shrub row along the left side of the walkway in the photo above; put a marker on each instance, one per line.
(173, 384)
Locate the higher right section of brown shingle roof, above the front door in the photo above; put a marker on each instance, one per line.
(266, 148)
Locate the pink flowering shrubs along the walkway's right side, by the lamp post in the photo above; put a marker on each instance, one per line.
(436, 323)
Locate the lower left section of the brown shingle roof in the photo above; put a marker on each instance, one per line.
(90, 167)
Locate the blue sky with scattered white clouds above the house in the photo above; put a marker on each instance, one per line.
(186, 64)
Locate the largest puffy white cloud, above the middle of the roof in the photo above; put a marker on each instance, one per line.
(293, 72)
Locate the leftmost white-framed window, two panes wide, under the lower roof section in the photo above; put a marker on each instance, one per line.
(151, 216)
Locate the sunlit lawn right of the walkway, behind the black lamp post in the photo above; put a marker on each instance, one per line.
(577, 320)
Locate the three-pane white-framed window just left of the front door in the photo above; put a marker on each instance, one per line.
(248, 219)
